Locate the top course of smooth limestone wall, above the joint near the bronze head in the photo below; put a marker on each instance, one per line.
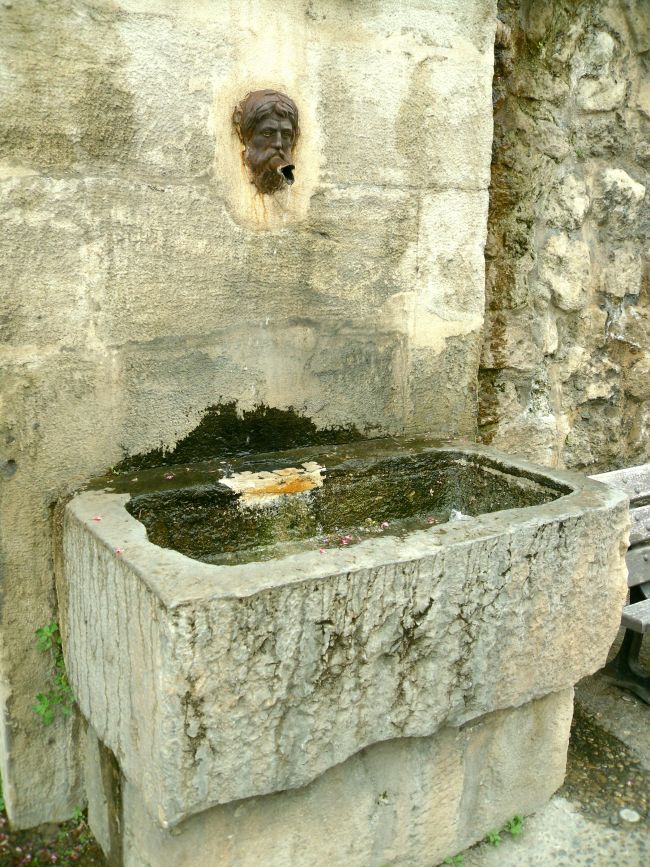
(385, 78)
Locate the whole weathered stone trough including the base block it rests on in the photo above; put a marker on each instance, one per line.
(356, 656)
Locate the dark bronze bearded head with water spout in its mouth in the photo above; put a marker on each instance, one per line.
(267, 124)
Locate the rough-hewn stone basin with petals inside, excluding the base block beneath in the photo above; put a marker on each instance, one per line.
(320, 602)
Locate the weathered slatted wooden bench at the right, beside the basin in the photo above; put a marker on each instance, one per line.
(625, 670)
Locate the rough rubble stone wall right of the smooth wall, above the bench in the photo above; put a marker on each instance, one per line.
(565, 369)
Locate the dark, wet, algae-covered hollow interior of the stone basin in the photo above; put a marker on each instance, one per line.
(367, 491)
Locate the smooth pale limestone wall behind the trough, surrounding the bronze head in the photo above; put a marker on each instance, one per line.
(141, 280)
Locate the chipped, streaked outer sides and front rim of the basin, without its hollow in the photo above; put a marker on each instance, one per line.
(214, 683)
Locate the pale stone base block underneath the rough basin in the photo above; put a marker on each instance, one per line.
(408, 802)
